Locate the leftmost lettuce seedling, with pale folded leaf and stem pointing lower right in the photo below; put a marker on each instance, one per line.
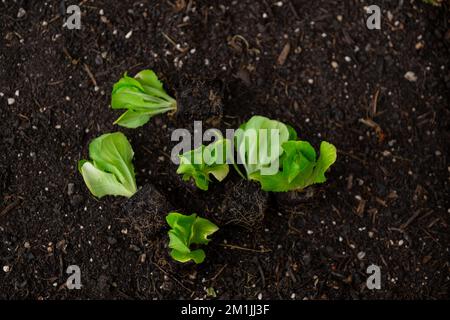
(111, 171)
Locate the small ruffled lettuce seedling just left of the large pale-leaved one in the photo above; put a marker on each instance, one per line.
(199, 163)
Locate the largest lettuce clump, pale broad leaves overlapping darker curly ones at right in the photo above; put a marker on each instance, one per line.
(293, 164)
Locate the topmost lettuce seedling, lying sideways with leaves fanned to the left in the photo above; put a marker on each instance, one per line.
(143, 96)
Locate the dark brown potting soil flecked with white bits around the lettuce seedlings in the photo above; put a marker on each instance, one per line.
(312, 64)
